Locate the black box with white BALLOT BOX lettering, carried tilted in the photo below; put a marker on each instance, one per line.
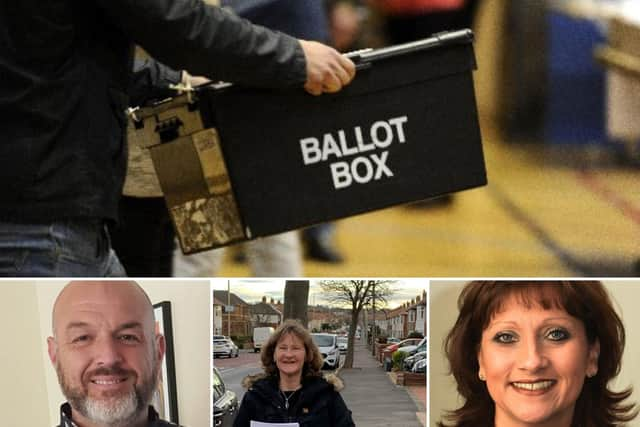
(236, 163)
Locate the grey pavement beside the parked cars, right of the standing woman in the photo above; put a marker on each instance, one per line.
(375, 400)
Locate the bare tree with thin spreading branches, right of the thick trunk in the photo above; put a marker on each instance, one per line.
(355, 294)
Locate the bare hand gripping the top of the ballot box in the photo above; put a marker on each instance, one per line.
(327, 70)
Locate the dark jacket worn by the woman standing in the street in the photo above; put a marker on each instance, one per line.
(318, 403)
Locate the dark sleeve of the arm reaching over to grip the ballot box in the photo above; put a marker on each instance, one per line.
(210, 41)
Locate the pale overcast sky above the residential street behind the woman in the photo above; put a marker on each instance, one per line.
(252, 290)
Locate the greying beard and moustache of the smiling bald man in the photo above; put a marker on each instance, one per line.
(112, 410)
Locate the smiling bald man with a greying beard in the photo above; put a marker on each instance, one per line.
(107, 355)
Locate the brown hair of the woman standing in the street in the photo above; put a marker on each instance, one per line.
(314, 361)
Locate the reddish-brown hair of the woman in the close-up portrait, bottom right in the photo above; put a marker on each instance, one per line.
(597, 406)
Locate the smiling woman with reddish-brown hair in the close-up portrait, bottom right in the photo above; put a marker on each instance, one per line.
(537, 353)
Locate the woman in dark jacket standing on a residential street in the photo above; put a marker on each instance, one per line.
(292, 388)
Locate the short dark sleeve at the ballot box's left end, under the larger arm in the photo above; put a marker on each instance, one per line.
(151, 80)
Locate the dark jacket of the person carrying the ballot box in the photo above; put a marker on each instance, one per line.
(64, 69)
